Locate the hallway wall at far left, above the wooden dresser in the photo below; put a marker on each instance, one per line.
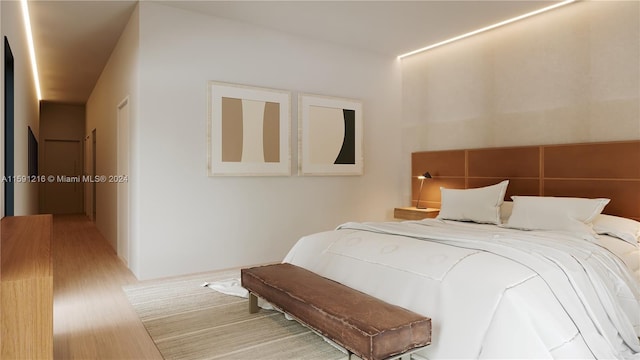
(26, 107)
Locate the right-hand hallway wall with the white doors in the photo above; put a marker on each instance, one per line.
(118, 80)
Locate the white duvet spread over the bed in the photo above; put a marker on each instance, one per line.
(490, 292)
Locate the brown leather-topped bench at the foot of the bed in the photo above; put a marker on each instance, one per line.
(365, 326)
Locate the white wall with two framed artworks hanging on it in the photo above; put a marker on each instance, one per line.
(184, 221)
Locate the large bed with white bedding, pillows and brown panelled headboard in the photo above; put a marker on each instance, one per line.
(552, 272)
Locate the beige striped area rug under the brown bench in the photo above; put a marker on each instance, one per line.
(189, 321)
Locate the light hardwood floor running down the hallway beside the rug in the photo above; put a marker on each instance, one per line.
(92, 318)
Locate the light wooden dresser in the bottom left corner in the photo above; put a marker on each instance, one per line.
(26, 290)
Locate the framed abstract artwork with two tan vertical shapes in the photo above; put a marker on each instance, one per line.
(249, 131)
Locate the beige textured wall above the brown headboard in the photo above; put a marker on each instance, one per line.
(570, 75)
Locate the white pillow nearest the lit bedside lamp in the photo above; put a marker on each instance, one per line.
(480, 205)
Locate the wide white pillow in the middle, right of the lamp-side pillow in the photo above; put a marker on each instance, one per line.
(556, 213)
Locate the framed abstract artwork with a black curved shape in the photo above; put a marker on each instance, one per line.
(330, 136)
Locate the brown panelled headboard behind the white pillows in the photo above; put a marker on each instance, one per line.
(590, 170)
